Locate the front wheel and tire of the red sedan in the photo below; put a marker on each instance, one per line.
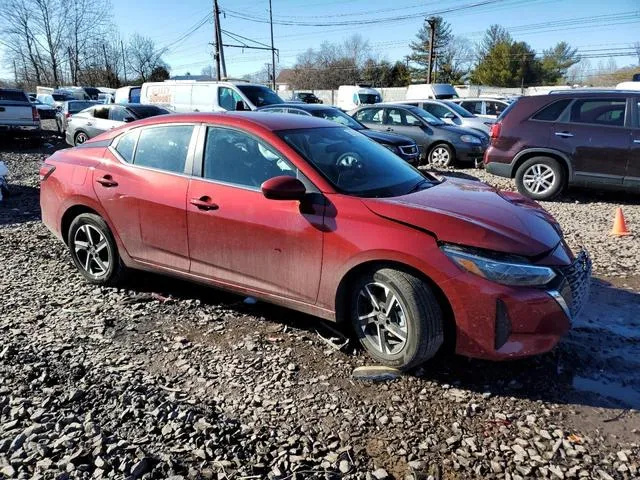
(414, 302)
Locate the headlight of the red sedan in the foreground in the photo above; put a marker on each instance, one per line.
(504, 272)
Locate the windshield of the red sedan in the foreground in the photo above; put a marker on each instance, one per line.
(354, 164)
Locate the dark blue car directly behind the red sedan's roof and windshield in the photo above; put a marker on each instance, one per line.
(403, 146)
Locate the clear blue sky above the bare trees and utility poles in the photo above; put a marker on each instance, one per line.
(595, 28)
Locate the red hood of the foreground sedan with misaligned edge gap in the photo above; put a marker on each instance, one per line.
(474, 214)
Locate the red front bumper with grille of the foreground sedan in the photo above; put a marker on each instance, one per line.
(499, 322)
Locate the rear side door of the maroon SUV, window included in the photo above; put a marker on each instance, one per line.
(596, 134)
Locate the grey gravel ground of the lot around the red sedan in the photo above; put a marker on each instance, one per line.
(163, 379)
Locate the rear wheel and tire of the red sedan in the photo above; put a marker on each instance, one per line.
(94, 250)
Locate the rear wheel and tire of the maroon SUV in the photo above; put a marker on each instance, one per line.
(540, 178)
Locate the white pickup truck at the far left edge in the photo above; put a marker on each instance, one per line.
(18, 115)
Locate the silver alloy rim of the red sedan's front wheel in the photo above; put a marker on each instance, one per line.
(382, 318)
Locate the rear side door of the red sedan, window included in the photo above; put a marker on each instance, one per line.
(143, 188)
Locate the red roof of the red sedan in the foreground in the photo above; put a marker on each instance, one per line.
(269, 121)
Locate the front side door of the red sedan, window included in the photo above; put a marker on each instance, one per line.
(239, 237)
